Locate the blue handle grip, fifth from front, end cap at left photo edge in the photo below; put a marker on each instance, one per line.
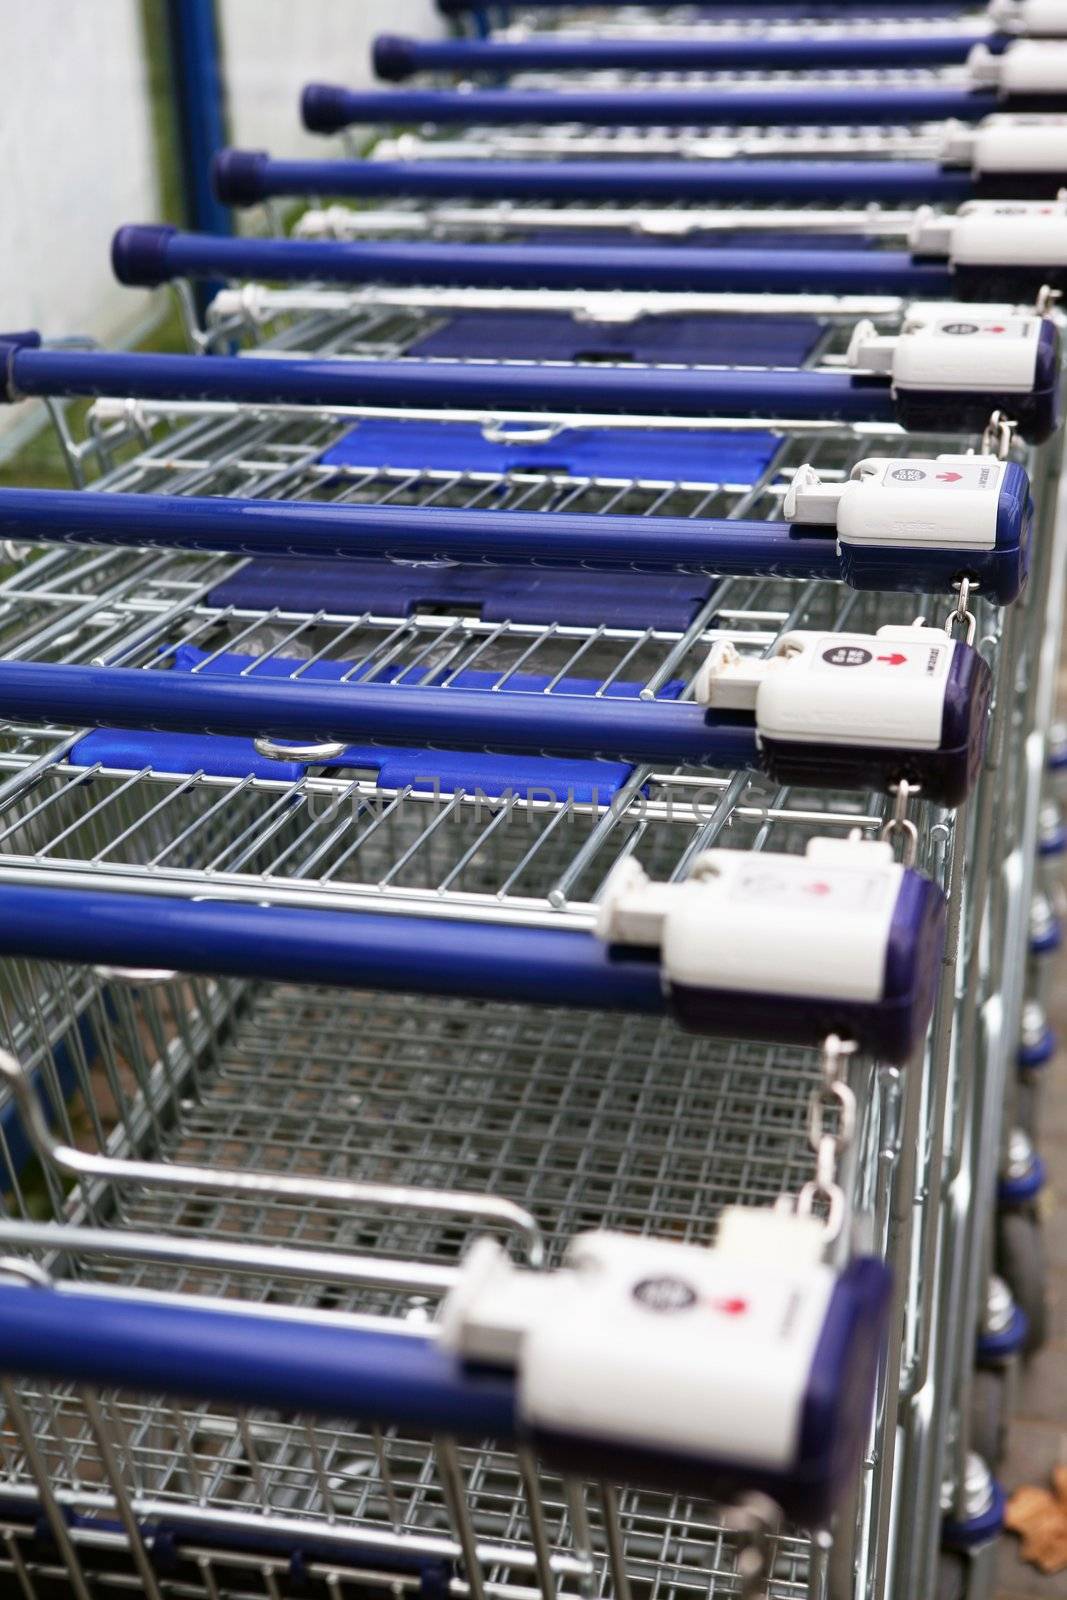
(687, 391)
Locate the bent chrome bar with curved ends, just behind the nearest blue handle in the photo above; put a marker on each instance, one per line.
(286, 1186)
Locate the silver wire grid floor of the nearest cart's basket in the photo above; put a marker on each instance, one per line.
(589, 1122)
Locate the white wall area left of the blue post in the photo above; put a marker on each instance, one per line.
(76, 154)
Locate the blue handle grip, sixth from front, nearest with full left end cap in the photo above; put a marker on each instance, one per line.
(151, 255)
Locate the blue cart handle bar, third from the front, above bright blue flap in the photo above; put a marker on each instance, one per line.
(354, 713)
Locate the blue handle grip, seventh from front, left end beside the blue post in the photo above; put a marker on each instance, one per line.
(250, 177)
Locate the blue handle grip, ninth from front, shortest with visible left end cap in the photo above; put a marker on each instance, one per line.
(402, 58)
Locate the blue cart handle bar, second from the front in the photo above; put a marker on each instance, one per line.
(388, 951)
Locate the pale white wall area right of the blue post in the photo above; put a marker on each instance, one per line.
(274, 47)
